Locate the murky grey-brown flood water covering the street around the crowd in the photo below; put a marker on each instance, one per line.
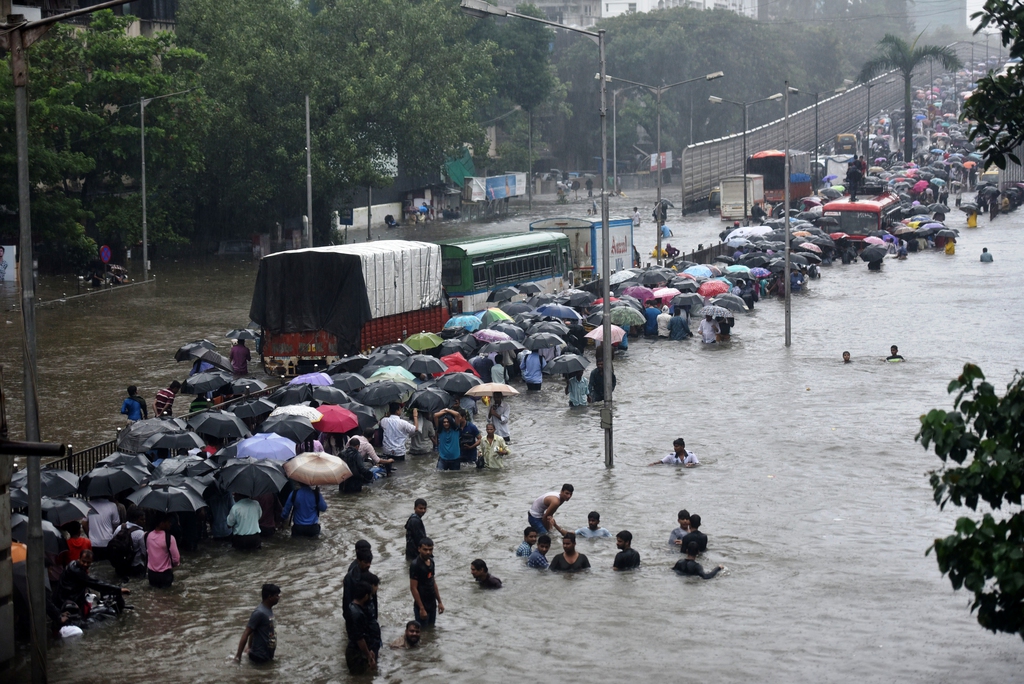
(813, 490)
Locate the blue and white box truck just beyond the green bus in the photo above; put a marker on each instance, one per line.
(585, 244)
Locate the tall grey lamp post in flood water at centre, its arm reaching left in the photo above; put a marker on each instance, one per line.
(483, 10)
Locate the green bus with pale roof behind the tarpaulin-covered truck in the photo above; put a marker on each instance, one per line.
(472, 269)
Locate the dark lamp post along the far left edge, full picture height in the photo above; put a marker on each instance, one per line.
(17, 36)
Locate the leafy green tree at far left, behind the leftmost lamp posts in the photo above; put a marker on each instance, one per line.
(84, 90)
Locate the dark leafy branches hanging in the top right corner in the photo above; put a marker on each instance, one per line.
(998, 103)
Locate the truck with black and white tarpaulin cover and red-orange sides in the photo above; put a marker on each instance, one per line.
(317, 306)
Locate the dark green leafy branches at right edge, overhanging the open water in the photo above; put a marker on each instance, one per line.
(985, 438)
